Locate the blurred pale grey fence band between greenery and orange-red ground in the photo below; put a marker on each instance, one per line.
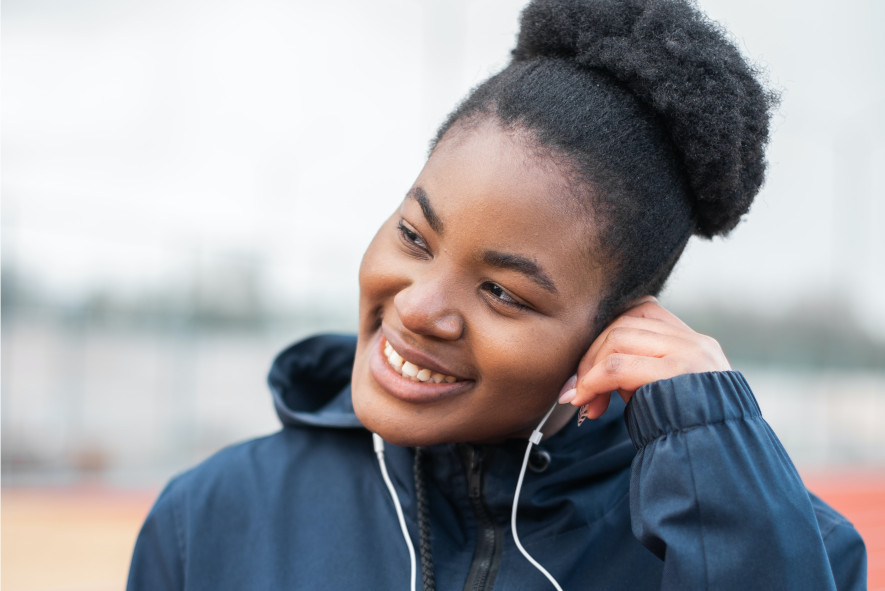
(130, 404)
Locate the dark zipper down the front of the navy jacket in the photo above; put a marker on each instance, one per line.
(487, 556)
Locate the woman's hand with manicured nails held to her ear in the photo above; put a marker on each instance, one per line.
(645, 344)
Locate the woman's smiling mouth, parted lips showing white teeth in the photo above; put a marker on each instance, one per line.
(415, 378)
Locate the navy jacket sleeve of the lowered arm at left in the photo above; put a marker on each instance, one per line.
(157, 560)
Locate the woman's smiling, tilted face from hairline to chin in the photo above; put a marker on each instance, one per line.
(481, 287)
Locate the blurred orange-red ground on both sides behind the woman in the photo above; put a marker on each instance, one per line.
(76, 538)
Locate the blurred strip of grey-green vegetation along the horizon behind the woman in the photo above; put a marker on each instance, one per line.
(819, 334)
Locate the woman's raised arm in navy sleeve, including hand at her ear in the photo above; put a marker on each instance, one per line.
(712, 491)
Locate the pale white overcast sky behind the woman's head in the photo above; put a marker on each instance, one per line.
(143, 142)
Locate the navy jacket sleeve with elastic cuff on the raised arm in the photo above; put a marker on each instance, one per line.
(715, 496)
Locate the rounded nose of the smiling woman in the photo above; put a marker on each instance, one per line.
(425, 308)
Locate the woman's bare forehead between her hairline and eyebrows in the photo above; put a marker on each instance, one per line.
(493, 189)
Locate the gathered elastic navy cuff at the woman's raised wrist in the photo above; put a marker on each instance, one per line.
(687, 401)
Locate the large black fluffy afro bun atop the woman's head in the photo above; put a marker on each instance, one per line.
(682, 66)
